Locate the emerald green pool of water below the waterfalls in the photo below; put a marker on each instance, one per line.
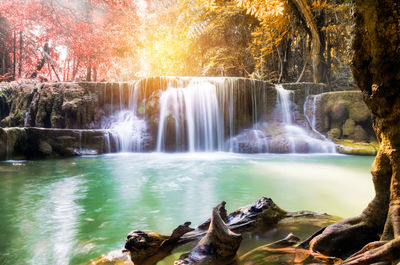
(68, 211)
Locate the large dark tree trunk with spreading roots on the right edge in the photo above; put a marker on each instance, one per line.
(376, 70)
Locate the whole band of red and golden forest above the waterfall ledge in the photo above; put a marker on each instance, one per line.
(95, 40)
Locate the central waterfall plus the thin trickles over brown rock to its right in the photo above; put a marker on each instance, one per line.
(202, 114)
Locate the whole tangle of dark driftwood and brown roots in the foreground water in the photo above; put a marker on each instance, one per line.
(219, 237)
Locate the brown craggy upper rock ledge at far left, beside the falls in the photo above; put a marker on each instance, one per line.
(48, 105)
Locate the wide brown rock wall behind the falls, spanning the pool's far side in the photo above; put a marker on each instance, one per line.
(76, 115)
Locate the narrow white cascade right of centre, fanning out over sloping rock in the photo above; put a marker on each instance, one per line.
(297, 137)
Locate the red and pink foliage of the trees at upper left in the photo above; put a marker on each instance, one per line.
(92, 33)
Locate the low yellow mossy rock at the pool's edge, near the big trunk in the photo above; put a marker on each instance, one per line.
(350, 147)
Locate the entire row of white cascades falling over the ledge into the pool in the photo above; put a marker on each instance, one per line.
(181, 114)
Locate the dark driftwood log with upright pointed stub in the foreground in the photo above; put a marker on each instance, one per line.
(147, 247)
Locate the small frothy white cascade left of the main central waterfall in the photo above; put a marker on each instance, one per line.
(126, 126)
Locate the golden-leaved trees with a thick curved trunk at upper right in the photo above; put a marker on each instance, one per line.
(316, 31)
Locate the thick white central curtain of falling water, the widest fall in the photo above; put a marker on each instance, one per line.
(196, 113)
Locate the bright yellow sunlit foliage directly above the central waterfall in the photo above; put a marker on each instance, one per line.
(192, 38)
